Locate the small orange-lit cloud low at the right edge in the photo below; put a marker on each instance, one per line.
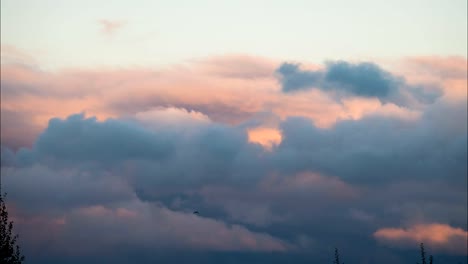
(439, 237)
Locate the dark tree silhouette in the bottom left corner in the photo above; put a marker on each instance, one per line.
(9, 250)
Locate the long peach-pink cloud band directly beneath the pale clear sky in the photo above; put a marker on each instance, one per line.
(228, 89)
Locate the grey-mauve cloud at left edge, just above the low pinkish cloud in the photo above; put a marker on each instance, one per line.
(39, 188)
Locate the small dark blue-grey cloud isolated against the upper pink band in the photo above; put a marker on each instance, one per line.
(361, 79)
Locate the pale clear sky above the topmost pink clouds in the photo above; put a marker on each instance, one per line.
(60, 33)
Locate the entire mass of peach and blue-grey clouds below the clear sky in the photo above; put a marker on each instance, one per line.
(120, 159)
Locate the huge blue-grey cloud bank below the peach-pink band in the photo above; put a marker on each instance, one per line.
(164, 163)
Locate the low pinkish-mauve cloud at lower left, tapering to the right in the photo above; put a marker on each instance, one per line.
(81, 230)
